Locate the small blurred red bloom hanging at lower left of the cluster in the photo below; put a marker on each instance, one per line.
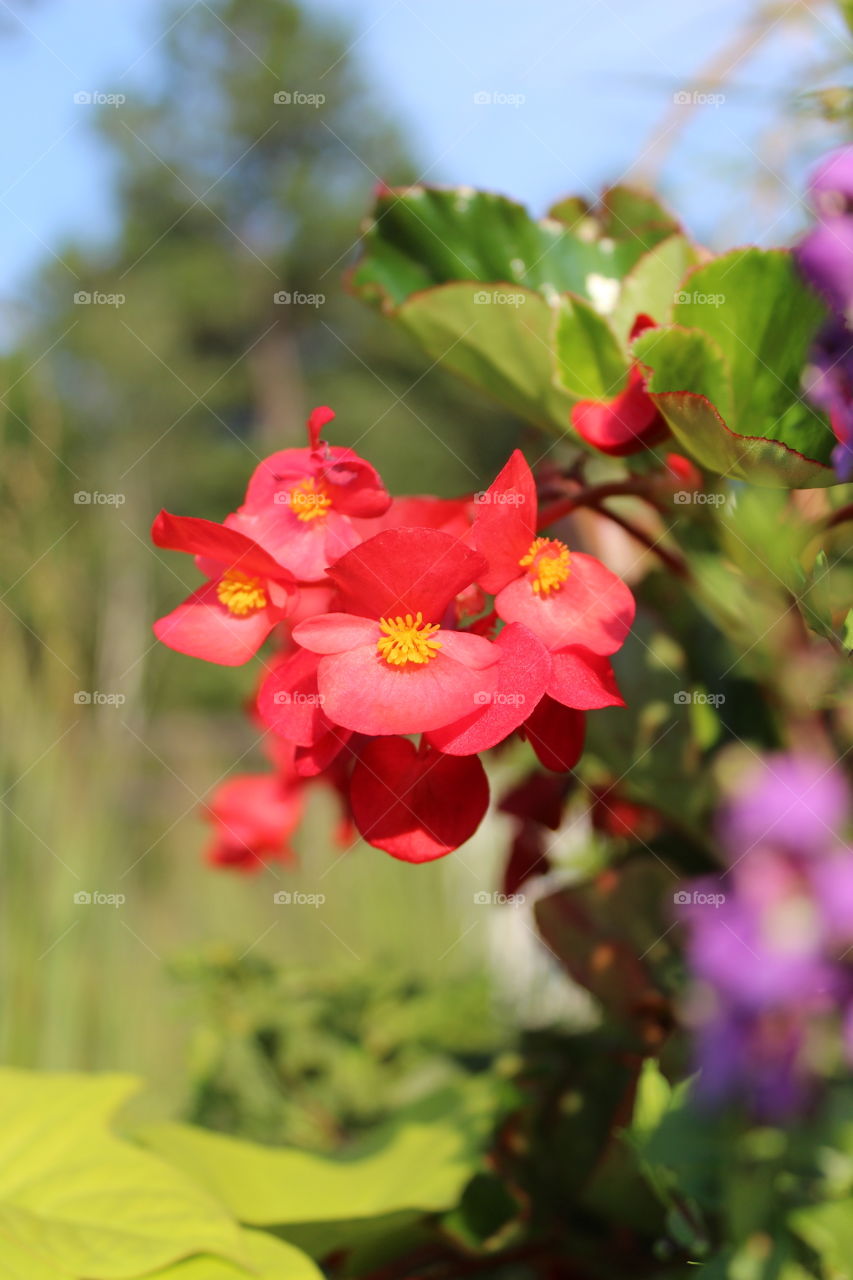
(253, 817)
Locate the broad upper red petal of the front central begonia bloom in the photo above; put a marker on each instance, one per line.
(405, 572)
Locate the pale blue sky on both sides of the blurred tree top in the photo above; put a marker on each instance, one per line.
(578, 92)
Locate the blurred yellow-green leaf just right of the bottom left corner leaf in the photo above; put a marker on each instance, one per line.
(421, 1167)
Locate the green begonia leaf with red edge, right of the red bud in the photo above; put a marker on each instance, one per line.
(727, 376)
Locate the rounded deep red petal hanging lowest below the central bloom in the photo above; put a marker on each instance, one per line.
(417, 804)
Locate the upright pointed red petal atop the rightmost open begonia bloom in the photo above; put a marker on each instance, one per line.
(505, 523)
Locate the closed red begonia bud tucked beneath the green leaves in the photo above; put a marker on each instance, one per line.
(627, 423)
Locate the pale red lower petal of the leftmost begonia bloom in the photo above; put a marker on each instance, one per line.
(203, 628)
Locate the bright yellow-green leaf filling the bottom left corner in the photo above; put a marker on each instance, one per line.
(81, 1200)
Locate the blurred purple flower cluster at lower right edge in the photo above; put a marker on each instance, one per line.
(768, 943)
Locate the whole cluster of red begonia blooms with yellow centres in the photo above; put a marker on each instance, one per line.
(457, 621)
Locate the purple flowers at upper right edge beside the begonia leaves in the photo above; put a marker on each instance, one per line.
(825, 258)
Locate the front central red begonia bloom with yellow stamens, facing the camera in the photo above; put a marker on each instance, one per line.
(390, 665)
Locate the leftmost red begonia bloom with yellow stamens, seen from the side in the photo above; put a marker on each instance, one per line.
(249, 592)
